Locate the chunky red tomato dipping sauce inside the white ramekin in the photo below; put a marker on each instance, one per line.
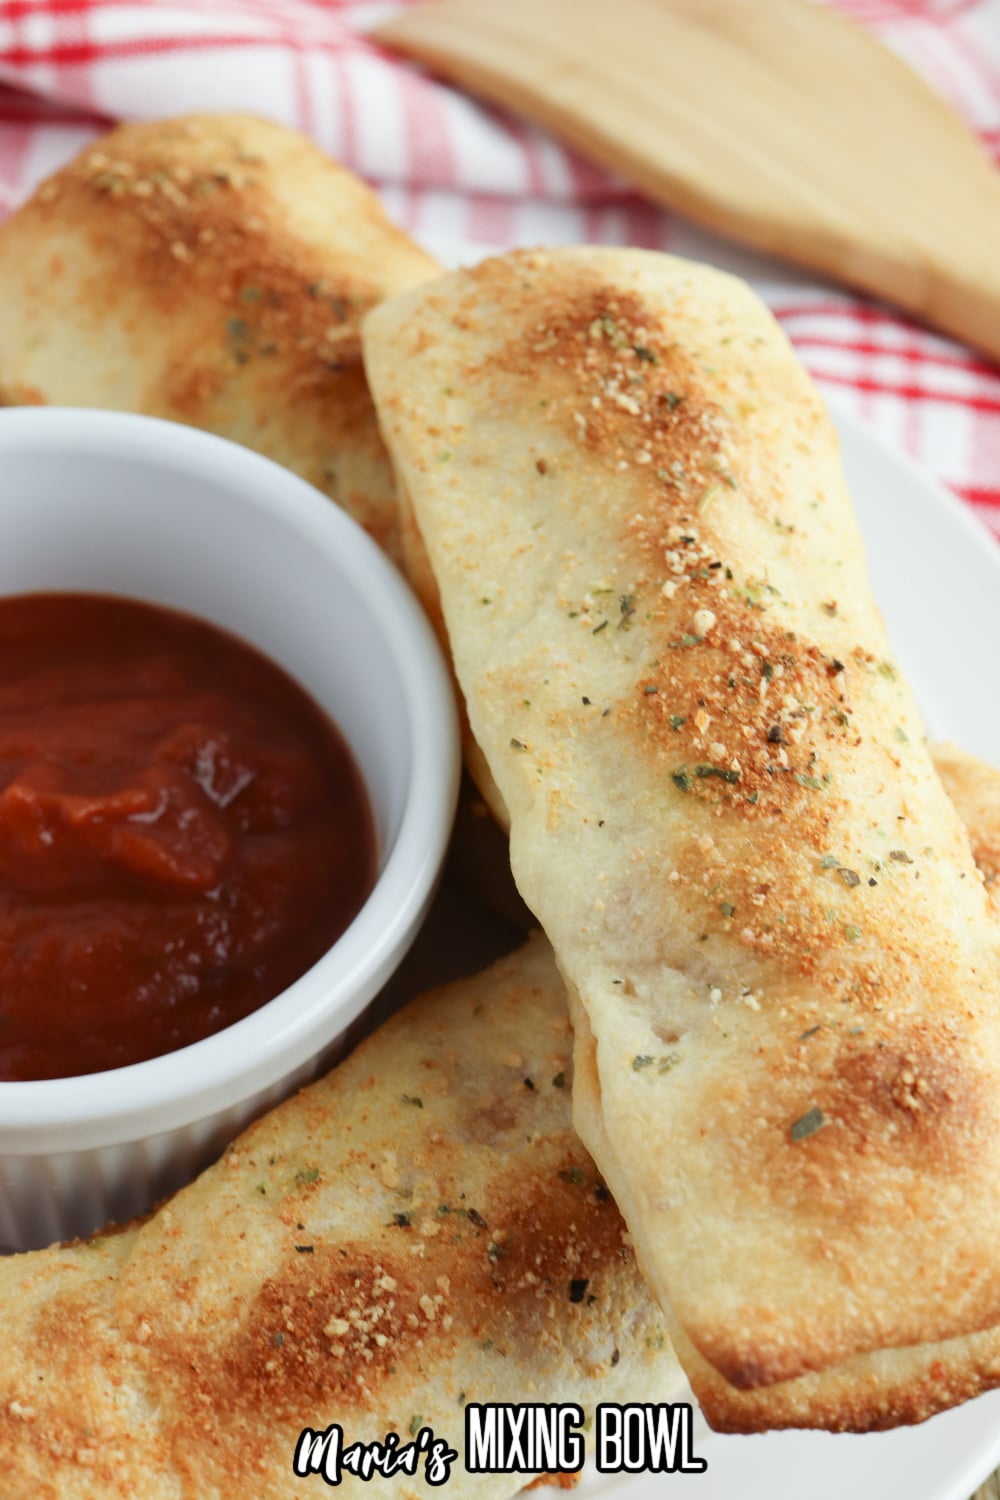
(182, 833)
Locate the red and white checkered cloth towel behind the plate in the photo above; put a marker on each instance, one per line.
(451, 169)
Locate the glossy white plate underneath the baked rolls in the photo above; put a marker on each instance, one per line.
(936, 575)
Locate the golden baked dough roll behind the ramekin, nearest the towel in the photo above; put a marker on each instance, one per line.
(212, 271)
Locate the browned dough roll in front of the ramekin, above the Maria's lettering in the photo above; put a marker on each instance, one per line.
(418, 1231)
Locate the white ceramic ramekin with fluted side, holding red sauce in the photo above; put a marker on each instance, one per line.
(121, 505)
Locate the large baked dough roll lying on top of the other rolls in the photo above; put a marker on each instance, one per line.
(780, 959)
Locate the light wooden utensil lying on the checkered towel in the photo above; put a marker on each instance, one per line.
(777, 122)
